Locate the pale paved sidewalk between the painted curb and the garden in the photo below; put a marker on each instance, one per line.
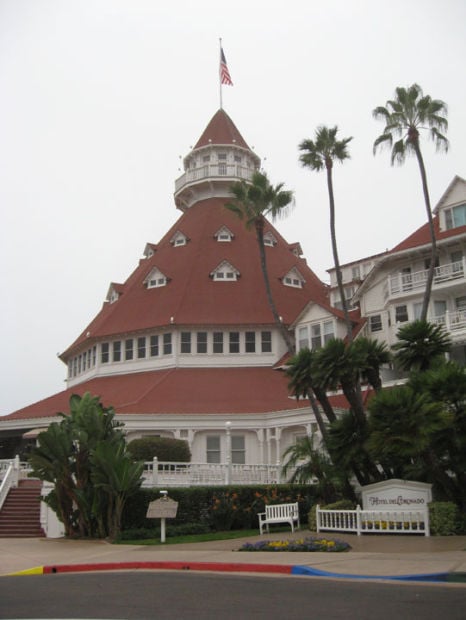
(371, 556)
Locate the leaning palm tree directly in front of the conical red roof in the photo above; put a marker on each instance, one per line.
(253, 201)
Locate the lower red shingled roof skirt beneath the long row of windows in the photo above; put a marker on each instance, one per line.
(178, 391)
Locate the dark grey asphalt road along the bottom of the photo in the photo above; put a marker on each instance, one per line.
(182, 596)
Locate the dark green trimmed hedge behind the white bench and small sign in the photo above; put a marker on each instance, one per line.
(219, 508)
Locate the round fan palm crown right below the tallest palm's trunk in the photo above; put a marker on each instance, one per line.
(420, 345)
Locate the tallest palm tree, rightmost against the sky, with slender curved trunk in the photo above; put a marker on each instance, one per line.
(404, 117)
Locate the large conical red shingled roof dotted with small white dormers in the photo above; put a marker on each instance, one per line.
(191, 297)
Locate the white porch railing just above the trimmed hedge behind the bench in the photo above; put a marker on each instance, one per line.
(163, 473)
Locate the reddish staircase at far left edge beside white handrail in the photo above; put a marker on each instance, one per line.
(20, 514)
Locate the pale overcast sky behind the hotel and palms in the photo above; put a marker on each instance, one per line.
(100, 98)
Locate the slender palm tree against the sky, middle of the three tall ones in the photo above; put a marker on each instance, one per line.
(318, 154)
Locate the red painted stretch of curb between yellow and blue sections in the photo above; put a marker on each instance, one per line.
(198, 566)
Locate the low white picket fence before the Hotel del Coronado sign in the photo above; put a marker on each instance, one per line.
(374, 521)
